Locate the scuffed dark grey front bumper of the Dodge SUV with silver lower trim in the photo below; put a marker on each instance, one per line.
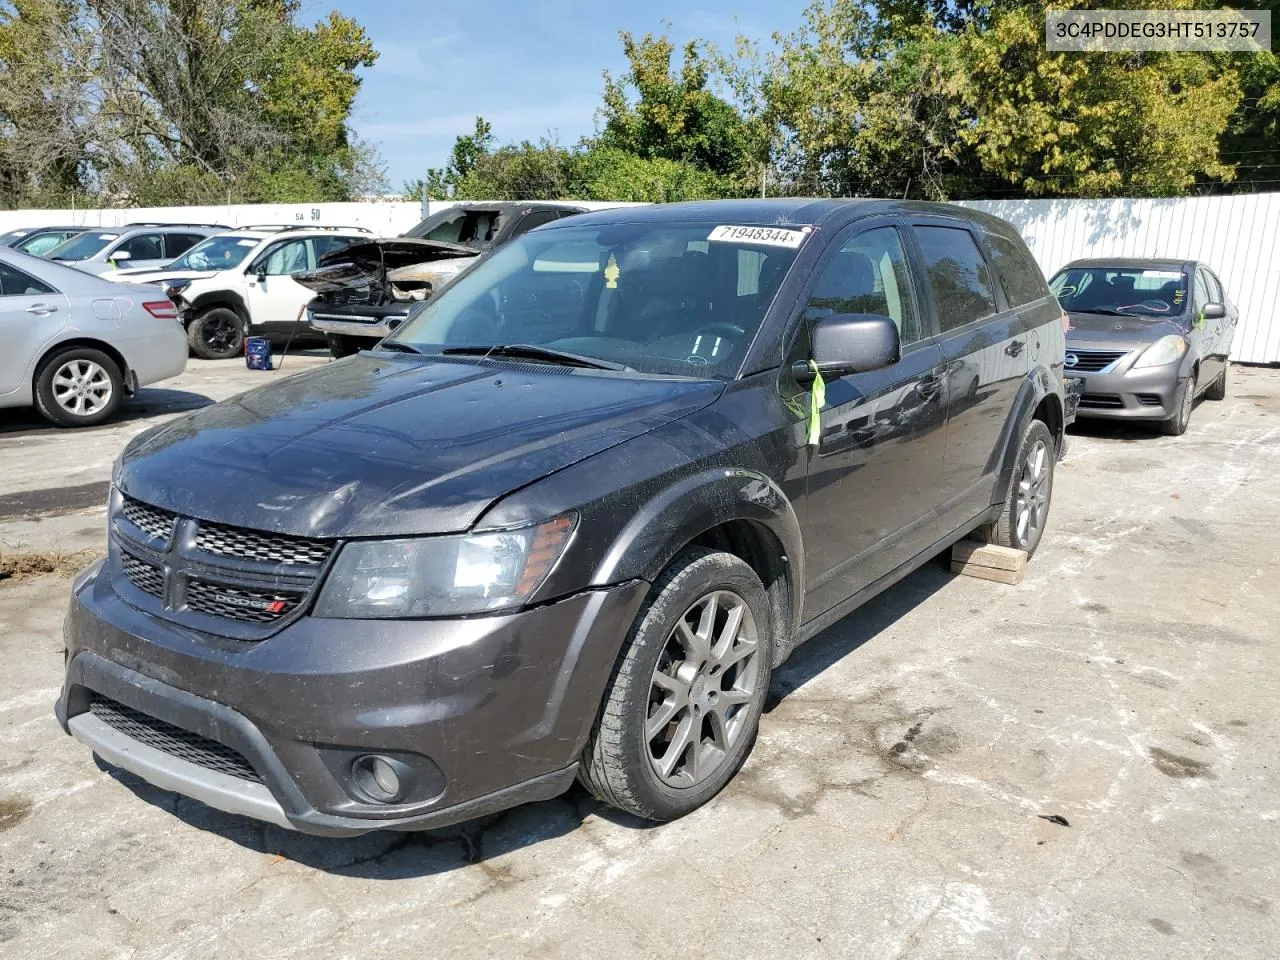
(484, 714)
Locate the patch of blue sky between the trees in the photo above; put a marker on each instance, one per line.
(529, 68)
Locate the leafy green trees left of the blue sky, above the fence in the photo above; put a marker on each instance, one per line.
(164, 102)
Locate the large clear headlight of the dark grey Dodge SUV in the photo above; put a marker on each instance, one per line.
(444, 577)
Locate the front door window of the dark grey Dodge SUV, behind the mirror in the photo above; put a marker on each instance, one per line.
(870, 275)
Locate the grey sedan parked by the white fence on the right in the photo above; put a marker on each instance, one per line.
(1148, 337)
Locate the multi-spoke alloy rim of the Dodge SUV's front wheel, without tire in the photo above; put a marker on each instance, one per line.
(702, 689)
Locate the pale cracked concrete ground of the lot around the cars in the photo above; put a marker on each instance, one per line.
(895, 806)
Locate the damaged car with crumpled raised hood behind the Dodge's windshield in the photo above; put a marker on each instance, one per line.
(364, 292)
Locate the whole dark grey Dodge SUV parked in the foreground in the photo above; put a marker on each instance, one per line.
(568, 519)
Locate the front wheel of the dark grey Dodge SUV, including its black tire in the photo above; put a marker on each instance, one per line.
(619, 765)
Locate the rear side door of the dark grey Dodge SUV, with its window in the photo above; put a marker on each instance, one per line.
(986, 350)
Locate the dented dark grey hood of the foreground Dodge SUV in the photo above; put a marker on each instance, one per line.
(386, 446)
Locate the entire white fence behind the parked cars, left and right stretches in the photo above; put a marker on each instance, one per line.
(1238, 236)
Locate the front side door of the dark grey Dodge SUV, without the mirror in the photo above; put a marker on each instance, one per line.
(876, 470)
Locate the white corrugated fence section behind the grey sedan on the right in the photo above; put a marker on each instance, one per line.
(1237, 236)
